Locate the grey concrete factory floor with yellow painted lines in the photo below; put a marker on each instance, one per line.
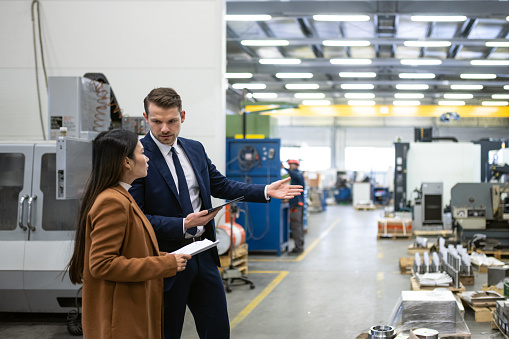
(345, 282)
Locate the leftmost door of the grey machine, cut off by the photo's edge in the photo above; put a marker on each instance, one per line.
(16, 162)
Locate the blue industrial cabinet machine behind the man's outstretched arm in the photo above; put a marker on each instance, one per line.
(257, 161)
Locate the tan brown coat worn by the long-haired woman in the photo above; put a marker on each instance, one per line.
(122, 278)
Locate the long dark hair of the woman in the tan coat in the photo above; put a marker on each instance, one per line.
(109, 150)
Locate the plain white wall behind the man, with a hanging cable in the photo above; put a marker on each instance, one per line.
(138, 45)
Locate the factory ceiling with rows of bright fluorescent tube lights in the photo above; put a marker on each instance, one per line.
(379, 52)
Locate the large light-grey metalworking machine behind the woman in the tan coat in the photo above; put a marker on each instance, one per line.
(40, 184)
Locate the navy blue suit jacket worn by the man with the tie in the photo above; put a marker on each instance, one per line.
(157, 196)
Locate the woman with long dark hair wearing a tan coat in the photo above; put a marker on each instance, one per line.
(116, 255)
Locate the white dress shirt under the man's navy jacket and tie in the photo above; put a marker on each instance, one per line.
(192, 183)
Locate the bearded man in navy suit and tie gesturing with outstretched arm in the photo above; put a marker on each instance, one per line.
(175, 196)
